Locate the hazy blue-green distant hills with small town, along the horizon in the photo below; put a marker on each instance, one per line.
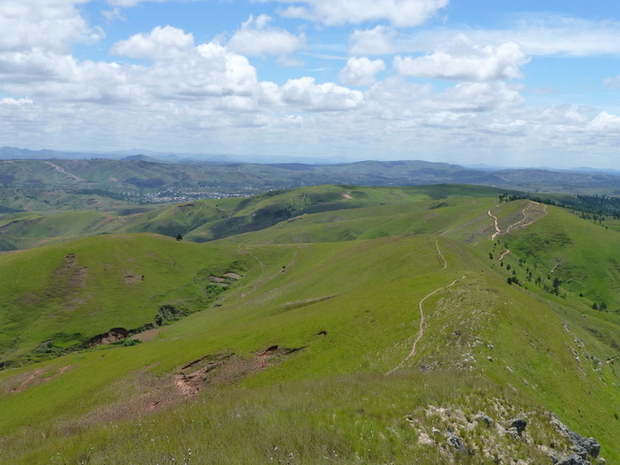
(47, 169)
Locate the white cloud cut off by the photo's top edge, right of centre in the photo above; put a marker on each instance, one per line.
(400, 13)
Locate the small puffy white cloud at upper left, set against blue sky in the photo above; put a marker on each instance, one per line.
(162, 43)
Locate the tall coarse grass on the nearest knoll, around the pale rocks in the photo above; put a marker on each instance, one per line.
(355, 419)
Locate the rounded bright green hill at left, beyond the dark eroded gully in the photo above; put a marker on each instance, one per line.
(71, 292)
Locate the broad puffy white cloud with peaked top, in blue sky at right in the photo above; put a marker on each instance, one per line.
(462, 60)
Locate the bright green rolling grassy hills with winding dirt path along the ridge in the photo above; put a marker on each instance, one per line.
(321, 325)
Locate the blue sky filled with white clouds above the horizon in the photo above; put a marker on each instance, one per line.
(509, 83)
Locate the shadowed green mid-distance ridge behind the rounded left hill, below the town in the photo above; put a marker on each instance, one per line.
(207, 220)
